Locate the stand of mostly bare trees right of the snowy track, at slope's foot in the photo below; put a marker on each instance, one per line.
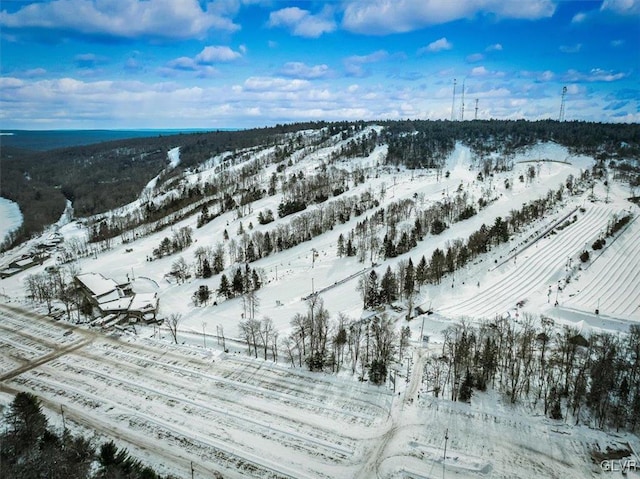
(593, 378)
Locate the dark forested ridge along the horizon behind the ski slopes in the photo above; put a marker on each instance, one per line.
(97, 178)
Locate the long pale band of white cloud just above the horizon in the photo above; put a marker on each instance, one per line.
(259, 101)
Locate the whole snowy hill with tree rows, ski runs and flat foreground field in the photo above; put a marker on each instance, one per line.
(385, 283)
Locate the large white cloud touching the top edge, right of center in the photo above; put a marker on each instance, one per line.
(380, 17)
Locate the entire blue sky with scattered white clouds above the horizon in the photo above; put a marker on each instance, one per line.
(251, 63)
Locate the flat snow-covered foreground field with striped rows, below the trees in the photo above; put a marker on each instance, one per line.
(174, 407)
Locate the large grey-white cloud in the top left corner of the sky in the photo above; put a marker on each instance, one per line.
(164, 19)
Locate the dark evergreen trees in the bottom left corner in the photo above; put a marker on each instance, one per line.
(30, 449)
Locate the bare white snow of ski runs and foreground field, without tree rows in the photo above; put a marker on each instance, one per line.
(177, 405)
